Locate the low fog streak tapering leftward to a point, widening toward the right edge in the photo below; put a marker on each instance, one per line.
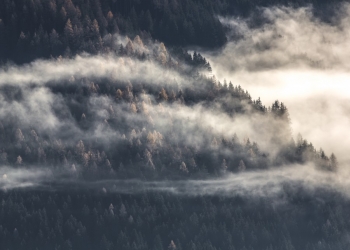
(275, 183)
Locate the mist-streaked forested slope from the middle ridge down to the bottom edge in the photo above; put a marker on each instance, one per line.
(76, 131)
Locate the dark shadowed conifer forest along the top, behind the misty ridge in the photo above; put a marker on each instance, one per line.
(40, 28)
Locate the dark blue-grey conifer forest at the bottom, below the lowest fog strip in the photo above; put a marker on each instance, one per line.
(97, 220)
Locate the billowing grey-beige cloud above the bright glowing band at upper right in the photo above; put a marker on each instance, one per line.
(289, 38)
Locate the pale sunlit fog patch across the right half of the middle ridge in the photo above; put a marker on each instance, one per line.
(200, 122)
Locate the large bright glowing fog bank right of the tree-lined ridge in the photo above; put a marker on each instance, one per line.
(299, 60)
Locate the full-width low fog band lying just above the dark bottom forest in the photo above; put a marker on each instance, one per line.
(275, 183)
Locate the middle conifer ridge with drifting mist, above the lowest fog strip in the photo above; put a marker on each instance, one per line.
(110, 127)
